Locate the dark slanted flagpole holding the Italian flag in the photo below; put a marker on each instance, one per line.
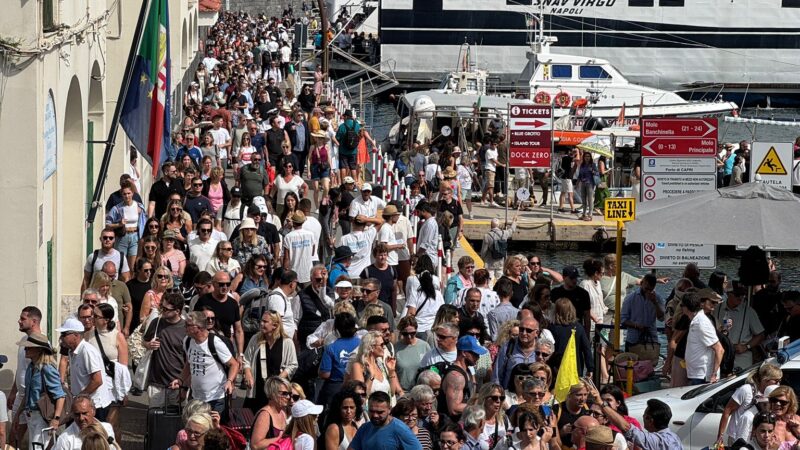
(112, 132)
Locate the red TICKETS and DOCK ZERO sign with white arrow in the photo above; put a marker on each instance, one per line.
(530, 139)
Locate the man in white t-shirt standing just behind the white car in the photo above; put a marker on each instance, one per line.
(703, 349)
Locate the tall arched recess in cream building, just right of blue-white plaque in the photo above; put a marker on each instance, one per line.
(71, 204)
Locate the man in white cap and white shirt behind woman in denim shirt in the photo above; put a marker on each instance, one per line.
(87, 374)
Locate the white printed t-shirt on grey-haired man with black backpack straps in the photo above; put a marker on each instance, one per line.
(208, 376)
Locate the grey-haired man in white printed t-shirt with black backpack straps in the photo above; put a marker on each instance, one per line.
(209, 367)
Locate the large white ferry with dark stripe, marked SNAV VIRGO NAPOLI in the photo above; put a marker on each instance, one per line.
(732, 47)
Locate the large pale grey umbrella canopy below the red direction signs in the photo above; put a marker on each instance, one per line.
(748, 214)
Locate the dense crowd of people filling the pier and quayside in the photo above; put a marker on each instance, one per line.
(323, 306)
